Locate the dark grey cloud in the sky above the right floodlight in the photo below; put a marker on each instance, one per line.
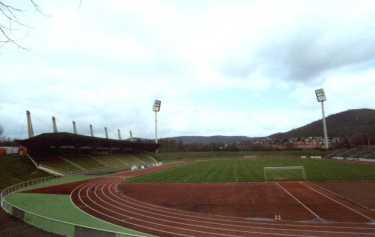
(306, 53)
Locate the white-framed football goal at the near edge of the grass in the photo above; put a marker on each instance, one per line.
(279, 173)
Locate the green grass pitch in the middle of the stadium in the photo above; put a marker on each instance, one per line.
(245, 170)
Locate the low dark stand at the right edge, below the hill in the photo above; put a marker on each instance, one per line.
(356, 153)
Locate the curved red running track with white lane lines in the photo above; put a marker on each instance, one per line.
(101, 198)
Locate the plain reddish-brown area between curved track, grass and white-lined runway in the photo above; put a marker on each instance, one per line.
(249, 200)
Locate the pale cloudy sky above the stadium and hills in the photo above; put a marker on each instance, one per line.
(219, 67)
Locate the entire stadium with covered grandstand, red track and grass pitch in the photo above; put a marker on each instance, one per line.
(112, 187)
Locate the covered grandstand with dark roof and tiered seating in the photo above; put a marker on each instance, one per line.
(65, 153)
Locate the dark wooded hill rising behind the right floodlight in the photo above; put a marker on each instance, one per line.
(347, 123)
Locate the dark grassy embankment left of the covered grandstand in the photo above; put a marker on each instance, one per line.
(15, 169)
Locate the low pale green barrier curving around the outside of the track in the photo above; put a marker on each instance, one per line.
(48, 224)
